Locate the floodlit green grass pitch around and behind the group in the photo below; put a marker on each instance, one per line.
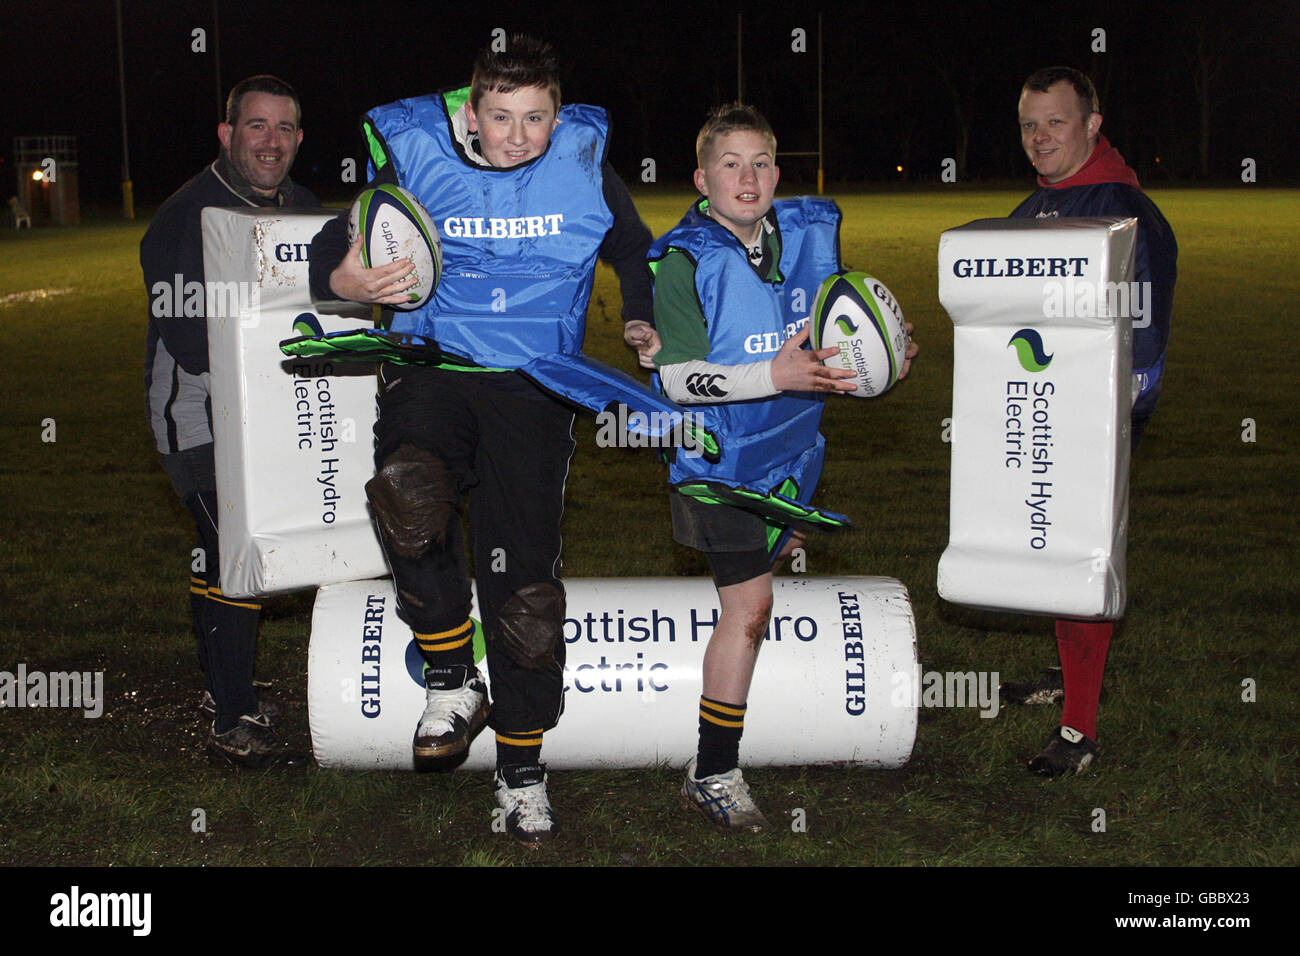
(96, 547)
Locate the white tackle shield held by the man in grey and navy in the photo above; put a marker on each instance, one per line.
(293, 436)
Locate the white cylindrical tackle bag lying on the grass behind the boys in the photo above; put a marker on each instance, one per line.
(839, 680)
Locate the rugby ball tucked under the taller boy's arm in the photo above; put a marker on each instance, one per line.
(397, 227)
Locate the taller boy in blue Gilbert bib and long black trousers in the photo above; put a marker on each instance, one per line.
(525, 202)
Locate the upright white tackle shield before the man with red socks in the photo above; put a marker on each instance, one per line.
(1042, 403)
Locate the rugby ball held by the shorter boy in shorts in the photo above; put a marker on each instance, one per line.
(856, 314)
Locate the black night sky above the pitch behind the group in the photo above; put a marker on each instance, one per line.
(900, 80)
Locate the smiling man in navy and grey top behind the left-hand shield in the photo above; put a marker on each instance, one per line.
(259, 142)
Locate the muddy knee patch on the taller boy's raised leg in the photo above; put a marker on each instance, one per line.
(413, 499)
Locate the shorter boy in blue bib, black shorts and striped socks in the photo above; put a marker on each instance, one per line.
(726, 282)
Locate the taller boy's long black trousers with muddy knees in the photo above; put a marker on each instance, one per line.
(509, 448)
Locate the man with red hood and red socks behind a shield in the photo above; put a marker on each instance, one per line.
(1081, 174)
